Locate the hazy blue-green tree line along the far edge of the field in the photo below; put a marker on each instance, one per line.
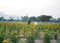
(42, 18)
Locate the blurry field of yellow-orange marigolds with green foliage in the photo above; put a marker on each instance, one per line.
(12, 32)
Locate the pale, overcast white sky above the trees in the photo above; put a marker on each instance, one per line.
(30, 7)
